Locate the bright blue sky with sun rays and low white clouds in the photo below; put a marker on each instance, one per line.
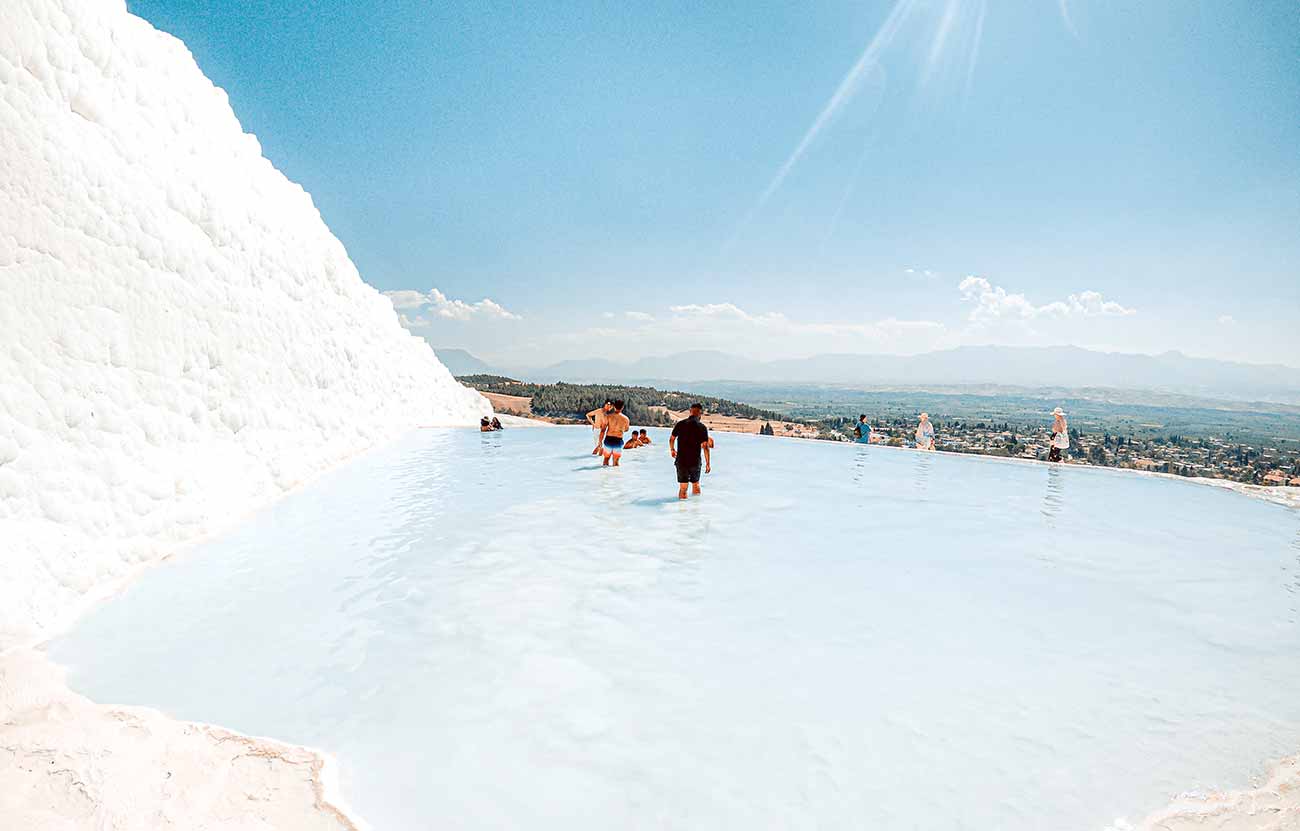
(1111, 175)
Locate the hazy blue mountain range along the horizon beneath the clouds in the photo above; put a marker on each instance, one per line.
(1028, 367)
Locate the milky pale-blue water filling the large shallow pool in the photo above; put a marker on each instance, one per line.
(493, 633)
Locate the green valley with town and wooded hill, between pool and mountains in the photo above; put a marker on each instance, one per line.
(1206, 442)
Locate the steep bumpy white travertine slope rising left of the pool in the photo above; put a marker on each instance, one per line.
(181, 337)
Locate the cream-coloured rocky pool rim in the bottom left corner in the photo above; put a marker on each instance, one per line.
(76, 760)
